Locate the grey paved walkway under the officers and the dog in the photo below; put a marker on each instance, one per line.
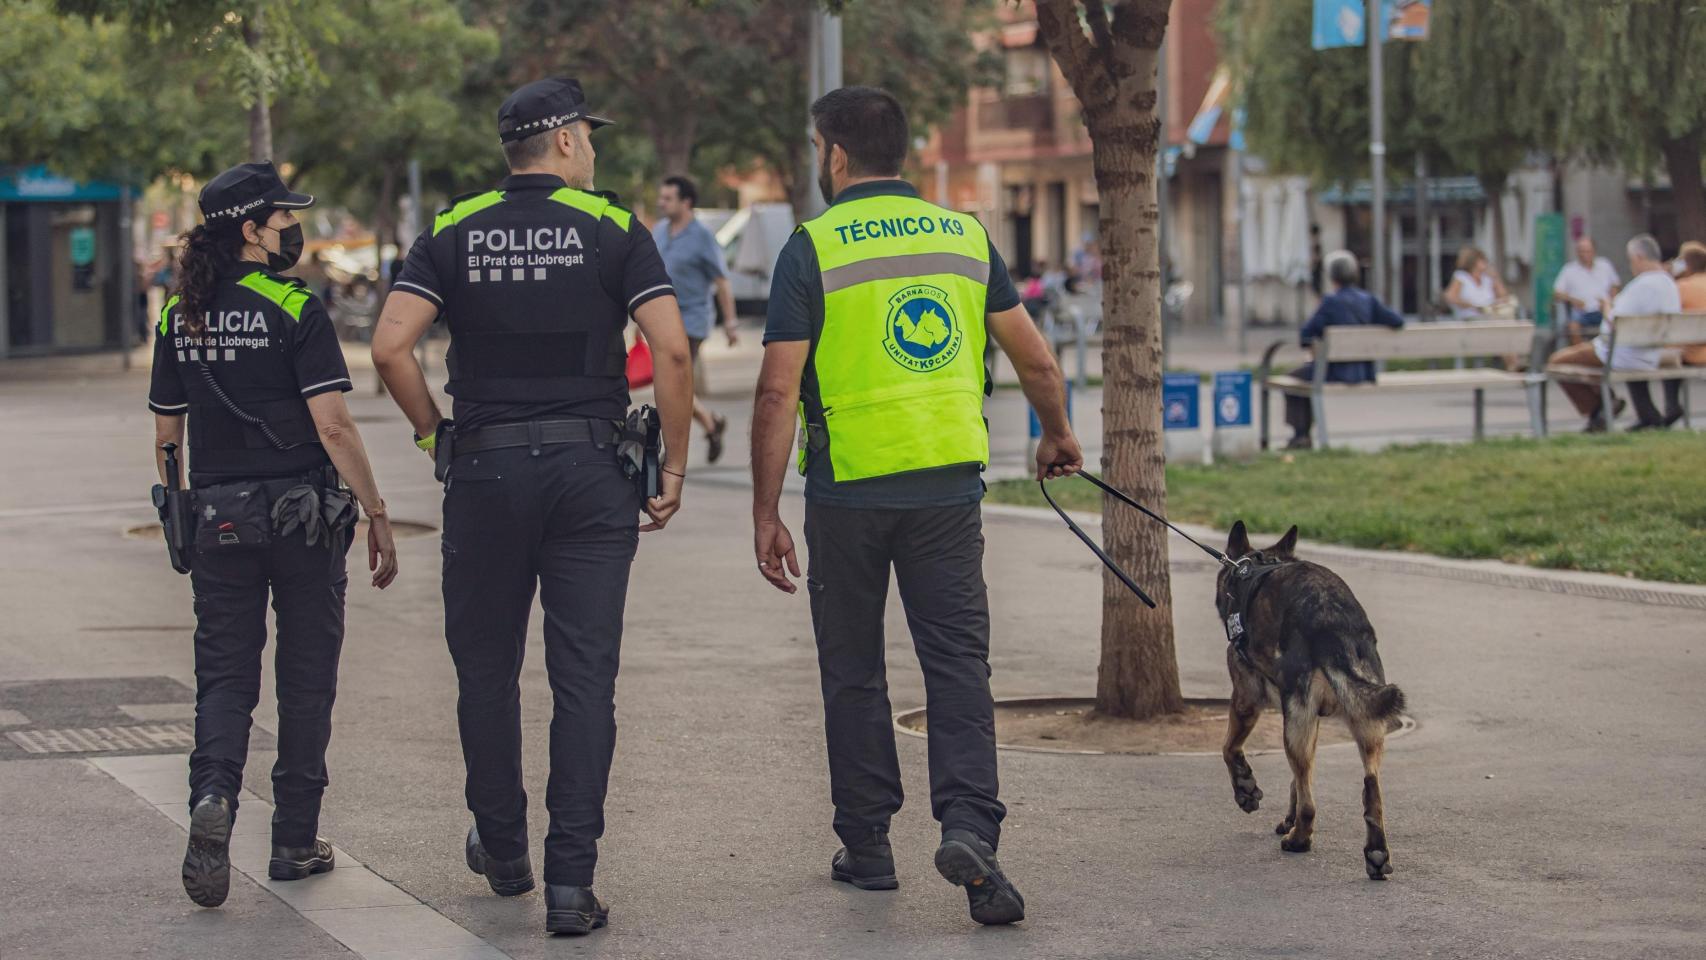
(1546, 807)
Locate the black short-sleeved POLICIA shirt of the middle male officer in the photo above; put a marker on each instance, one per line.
(600, 265)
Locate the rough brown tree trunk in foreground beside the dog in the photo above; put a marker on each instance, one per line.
(1115, 81)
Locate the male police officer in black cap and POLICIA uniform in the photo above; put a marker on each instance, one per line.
(537, 282)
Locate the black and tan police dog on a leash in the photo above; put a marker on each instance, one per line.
(1308, 647)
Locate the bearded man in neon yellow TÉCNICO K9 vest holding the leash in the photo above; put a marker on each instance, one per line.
(878, 320)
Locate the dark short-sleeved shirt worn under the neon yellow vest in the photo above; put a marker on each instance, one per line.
(798, 309)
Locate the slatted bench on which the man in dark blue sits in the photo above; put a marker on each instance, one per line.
(1422, 342)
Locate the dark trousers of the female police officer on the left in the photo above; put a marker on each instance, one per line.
(306, 586)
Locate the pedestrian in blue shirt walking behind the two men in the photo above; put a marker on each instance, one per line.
(695, 265)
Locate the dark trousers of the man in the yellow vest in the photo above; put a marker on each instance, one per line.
(937, 558)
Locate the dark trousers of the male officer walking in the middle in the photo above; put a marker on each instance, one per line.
(564, 521)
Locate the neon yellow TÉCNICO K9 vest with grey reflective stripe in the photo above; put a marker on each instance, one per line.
(900, 359)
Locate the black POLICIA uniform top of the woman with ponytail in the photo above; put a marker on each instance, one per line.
(267, 357)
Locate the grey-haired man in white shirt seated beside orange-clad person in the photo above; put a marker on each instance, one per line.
(1651, 291)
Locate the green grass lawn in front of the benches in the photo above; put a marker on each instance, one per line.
(1625, 504)
